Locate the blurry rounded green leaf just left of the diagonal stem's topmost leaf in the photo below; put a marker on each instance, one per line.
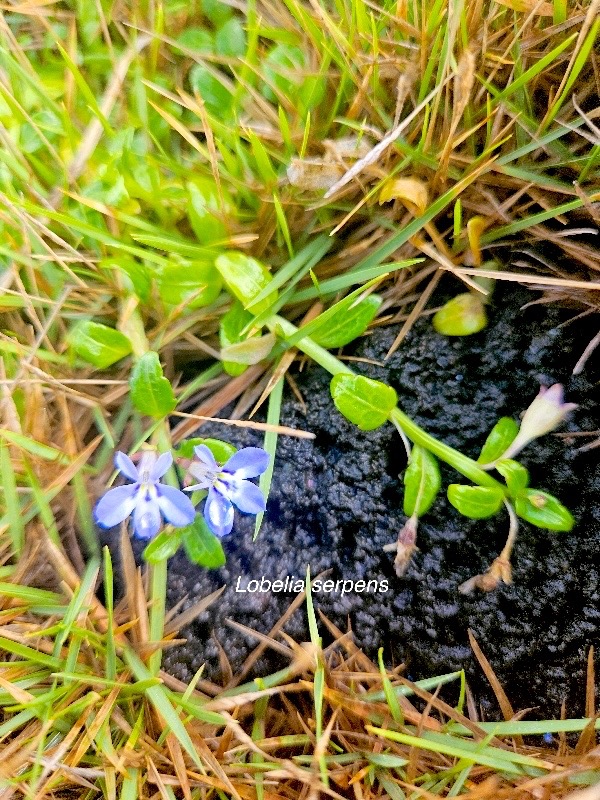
(190, 283)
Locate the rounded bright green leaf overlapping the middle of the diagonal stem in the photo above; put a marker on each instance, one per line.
(363, 401)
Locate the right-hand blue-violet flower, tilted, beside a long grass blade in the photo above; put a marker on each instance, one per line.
(228, 485)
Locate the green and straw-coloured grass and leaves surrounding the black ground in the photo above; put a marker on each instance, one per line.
(154, 159)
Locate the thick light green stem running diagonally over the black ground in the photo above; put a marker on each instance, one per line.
(461, 463)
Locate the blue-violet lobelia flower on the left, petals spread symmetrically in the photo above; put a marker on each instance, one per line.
(146, 497)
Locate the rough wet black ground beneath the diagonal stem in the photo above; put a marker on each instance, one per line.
(337, 500)
